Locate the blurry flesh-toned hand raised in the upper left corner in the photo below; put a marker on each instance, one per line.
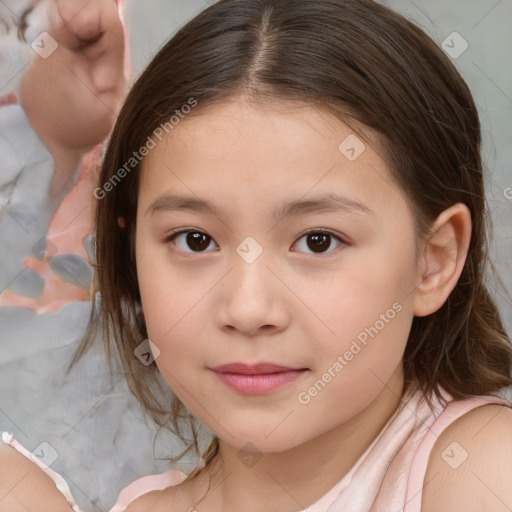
(72, 97)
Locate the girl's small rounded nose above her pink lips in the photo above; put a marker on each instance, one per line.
(253, 299)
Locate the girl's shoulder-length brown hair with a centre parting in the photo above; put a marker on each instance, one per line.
(368, 66)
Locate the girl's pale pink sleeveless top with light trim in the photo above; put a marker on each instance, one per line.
(388, 476)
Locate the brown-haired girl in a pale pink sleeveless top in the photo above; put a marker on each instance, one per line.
(291, 234)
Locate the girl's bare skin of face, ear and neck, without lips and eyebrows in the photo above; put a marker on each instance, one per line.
(291, 306)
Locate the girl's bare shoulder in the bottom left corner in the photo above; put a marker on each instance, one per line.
(25, 487)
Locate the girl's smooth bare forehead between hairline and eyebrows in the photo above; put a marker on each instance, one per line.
(247, 154)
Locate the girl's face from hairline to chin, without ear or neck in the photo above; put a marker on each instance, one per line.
(325, 287)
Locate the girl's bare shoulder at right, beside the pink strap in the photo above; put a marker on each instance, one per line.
(470, 466)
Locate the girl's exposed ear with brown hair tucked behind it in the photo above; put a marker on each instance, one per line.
(444, 256)
